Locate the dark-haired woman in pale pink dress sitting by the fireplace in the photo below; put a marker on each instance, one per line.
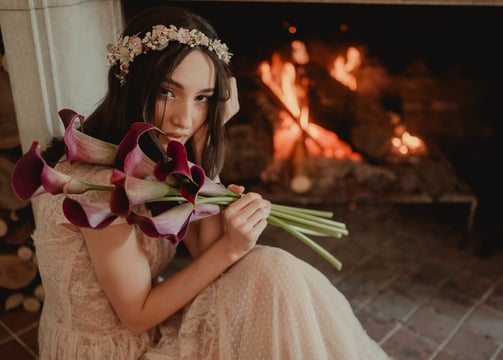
(235, 300)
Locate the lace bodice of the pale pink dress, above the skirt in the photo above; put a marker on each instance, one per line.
(77, 320)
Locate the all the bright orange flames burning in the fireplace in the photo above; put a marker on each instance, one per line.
(296, 137)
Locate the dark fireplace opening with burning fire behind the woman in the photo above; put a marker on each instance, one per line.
(427, 71)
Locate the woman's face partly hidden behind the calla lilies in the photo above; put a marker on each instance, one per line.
(183, 100)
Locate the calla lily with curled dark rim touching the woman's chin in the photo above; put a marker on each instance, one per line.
(130, 157)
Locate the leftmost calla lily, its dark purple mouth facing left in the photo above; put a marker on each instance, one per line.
(32, 176)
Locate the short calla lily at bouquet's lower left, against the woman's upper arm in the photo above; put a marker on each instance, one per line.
(87, 215)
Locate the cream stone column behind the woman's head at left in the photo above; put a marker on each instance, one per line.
(56, 55)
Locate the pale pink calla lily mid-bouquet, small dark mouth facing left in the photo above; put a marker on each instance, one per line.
(130, 191)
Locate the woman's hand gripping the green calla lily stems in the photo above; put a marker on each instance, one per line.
(244, 220)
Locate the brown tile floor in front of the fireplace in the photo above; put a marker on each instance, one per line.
(416, 290)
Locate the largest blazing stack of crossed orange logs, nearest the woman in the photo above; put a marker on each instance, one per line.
(295, 138)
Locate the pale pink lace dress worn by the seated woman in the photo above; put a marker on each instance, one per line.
(269, 305)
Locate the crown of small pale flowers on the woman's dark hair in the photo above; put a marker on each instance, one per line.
(129, 47)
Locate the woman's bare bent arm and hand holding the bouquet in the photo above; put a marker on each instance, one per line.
(123, 270)
